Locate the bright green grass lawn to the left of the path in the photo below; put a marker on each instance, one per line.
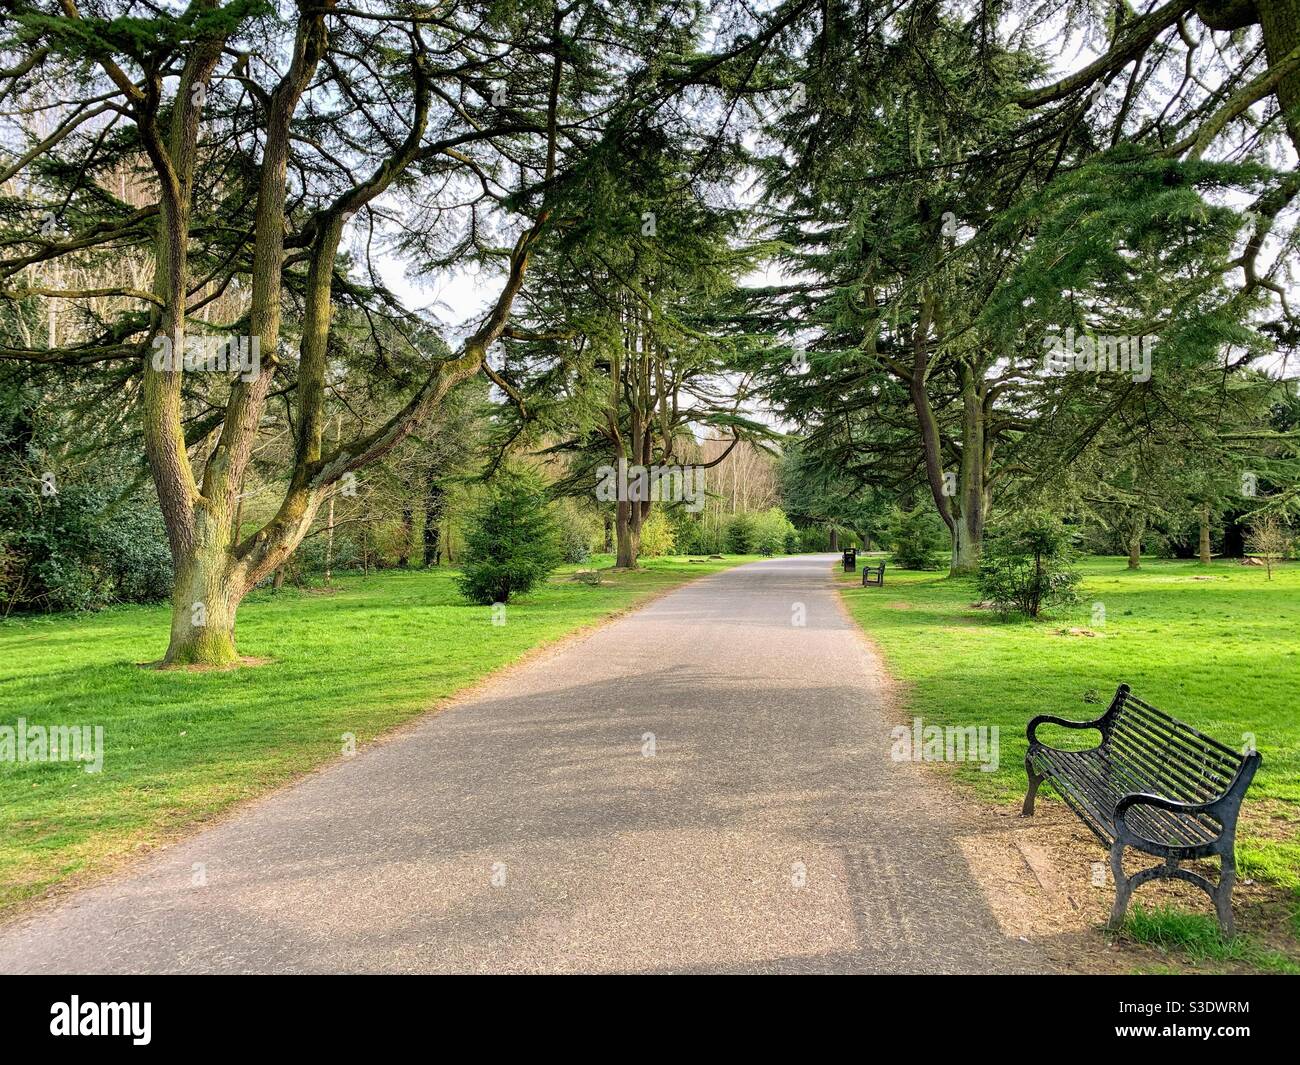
(183, 747)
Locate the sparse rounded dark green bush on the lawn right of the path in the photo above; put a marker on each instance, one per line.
(1028, 565)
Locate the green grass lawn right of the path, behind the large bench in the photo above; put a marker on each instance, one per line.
(1217, 647)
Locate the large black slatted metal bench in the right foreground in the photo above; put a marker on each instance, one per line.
(1155, 785)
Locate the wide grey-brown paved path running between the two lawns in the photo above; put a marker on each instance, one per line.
(530, 828)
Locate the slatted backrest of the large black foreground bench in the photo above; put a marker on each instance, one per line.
(1176, 760)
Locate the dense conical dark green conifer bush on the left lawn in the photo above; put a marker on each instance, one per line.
(513, 542)
